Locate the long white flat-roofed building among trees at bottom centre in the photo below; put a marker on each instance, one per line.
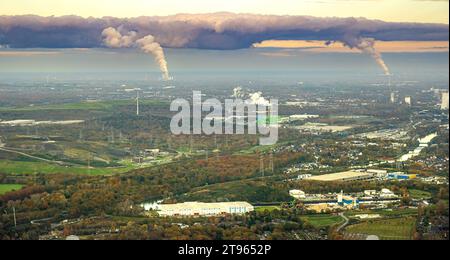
(204, 209)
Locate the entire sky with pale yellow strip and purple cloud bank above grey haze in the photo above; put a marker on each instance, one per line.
(368, 26)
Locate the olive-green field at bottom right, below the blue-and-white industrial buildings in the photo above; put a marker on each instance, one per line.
(387, 229)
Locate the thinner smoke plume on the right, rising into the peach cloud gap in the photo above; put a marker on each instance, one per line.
(367, 45)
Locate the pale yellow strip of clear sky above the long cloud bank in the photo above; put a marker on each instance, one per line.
(424, 11)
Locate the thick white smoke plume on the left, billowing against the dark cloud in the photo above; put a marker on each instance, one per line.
(114, 39)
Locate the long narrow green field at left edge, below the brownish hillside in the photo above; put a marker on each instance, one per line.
(15, 167)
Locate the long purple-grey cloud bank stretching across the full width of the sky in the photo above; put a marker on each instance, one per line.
(207, 31)
